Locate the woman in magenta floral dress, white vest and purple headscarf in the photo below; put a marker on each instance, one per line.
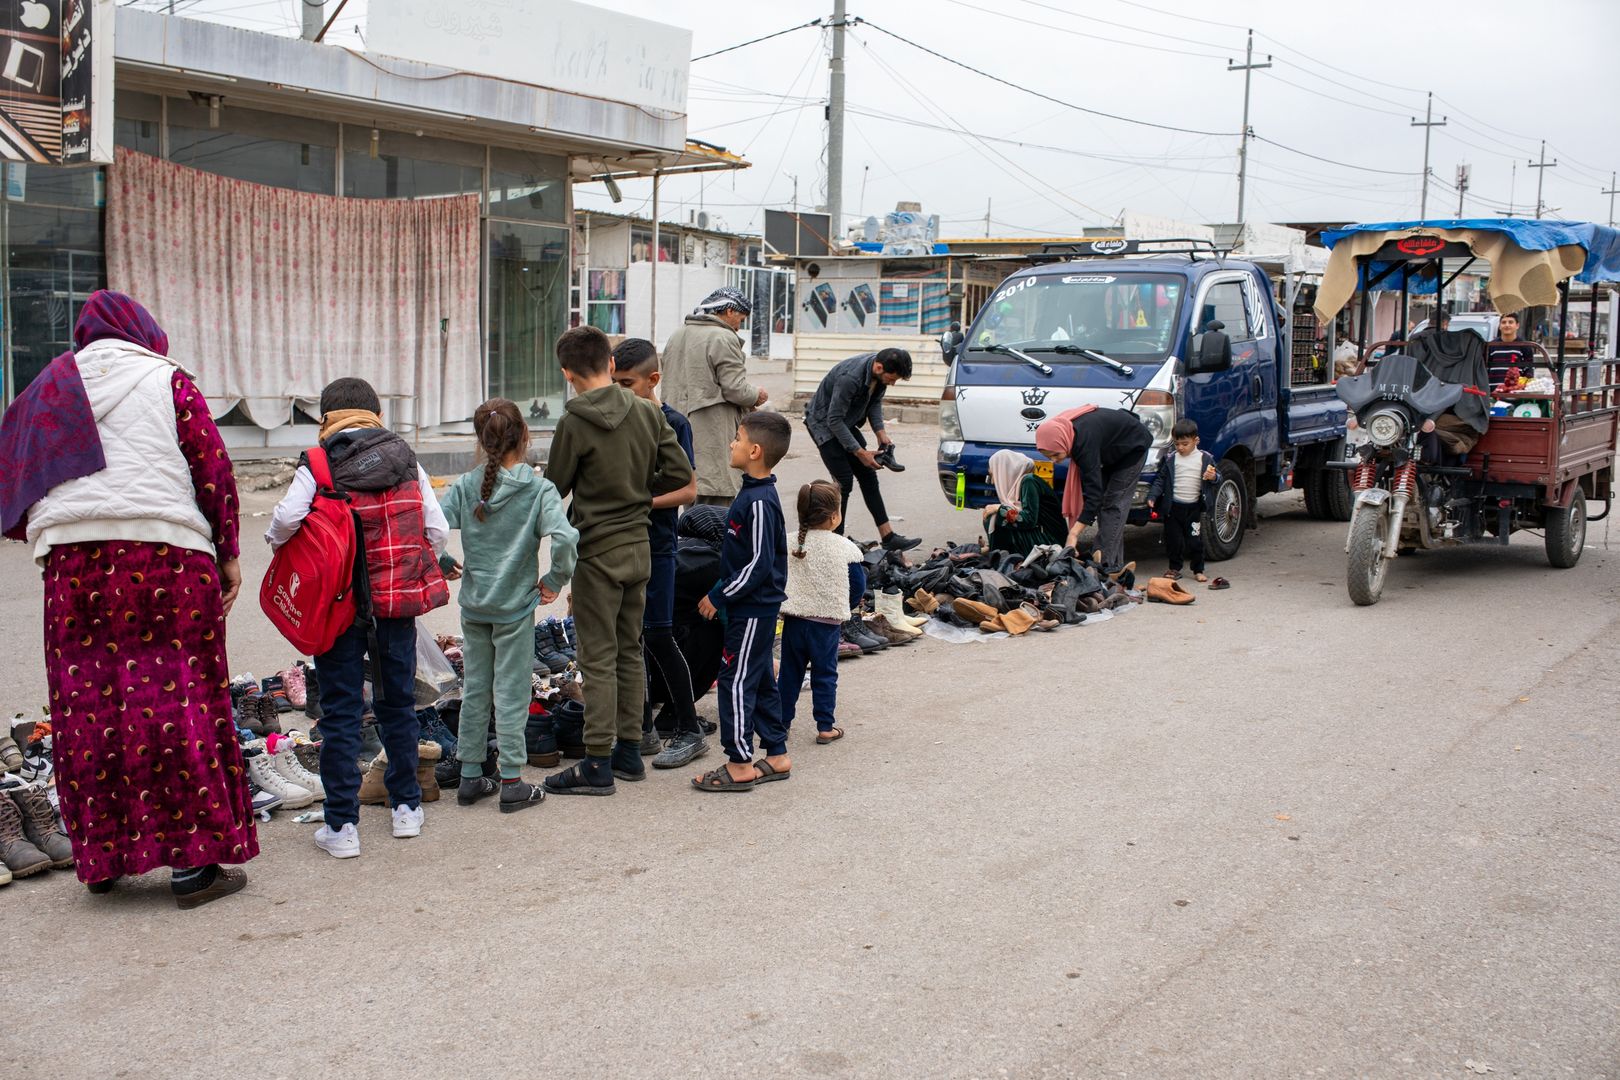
(116, 474)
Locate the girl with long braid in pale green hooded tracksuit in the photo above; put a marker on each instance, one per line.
(505, 512)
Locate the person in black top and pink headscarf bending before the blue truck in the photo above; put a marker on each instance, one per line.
(1107, 449)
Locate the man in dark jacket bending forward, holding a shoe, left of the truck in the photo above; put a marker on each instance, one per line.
(850, 398)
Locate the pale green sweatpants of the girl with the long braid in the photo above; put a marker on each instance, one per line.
(500, 663)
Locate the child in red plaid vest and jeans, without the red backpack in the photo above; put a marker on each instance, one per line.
(404, 532)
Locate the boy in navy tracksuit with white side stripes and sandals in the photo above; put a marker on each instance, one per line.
(751, 592)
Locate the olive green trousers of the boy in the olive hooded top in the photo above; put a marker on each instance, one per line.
(610, 595)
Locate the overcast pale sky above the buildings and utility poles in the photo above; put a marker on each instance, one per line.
(1344, 87)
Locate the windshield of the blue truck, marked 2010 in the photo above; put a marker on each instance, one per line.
(1120, 315)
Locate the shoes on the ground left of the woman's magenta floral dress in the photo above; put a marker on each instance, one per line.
(32, 836)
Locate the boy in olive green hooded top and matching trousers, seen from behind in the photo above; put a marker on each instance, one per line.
(613, 453)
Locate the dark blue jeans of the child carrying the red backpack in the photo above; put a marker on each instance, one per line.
(343, 674)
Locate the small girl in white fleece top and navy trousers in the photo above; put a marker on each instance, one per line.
(825, 582)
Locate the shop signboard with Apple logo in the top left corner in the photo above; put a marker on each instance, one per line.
(56, 82)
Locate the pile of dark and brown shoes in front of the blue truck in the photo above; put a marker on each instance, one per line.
(970, 585)
